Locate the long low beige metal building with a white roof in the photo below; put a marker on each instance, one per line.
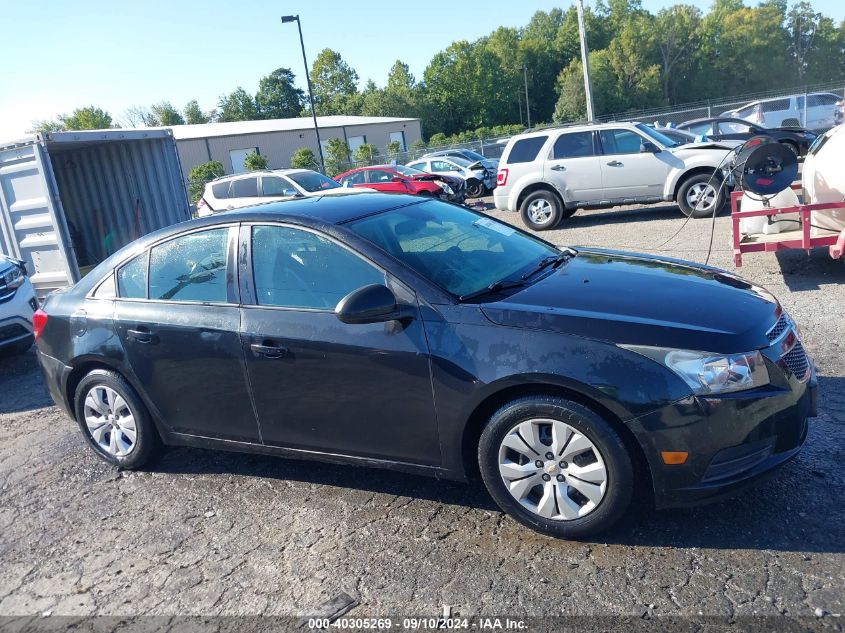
(277, 139)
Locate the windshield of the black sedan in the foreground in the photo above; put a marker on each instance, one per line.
(457, 249)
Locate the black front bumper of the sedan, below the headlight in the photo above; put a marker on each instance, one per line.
(734, 441)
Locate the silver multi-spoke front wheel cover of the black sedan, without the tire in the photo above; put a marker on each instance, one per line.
(552, 469)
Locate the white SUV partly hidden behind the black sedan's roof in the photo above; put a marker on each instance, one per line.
(243, 190)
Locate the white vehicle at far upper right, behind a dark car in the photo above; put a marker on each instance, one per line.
(821, 111)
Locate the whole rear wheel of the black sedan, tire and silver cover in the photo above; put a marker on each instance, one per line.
(114, 443)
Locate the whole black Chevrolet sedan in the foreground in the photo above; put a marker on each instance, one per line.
(424, 337)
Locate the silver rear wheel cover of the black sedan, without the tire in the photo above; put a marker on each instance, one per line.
(110, 421)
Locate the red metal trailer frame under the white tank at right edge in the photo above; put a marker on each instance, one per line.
(805, 237)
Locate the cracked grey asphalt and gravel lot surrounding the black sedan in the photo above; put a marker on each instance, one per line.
(216, 533)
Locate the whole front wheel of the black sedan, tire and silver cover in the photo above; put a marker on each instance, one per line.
(556, 507)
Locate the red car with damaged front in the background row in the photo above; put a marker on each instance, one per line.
(401, 179)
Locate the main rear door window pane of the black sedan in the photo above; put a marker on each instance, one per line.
(190, 268)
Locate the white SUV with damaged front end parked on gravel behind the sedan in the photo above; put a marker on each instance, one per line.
(547, 175)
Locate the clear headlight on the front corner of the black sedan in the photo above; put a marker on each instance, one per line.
(709, 374)
